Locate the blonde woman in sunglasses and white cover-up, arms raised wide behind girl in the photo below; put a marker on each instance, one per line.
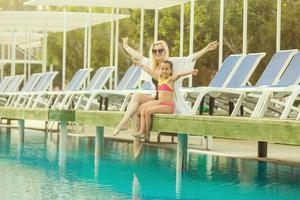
(159, 51)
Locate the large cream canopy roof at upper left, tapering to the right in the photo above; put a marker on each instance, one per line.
(51, 21)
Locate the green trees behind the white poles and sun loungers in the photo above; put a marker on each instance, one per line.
(261, 33)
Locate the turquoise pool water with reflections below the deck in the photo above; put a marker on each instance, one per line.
(39, 170)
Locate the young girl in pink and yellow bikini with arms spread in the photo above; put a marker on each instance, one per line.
(165, 103)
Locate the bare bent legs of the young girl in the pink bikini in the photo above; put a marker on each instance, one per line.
(163, 109)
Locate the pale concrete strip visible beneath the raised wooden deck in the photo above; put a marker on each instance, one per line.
(223, 147)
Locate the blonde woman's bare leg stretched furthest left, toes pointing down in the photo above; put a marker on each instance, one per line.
(133, 105)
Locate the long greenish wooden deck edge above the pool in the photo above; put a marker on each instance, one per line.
(266, 129)
